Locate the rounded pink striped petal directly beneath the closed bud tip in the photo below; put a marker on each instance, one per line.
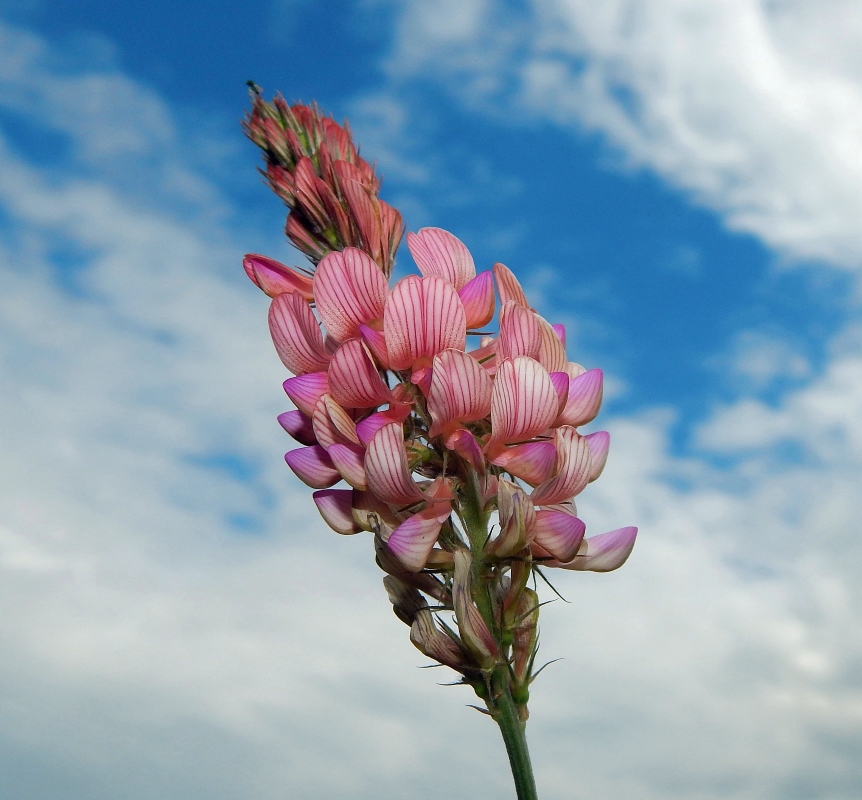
(350, 290)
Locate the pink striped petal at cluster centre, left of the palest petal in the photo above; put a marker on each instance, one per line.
(460, 390)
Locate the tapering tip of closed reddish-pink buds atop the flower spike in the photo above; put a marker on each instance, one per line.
(332, 193)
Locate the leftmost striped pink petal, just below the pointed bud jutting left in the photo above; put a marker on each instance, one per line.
(296, 335)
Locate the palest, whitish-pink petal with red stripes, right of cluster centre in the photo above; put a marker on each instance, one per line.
(523, 402)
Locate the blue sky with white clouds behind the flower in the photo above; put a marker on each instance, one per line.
(677, 182)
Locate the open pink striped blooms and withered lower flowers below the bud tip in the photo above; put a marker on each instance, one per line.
(435, 441)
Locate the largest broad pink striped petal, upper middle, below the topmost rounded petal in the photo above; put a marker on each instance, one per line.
(422, 317)
